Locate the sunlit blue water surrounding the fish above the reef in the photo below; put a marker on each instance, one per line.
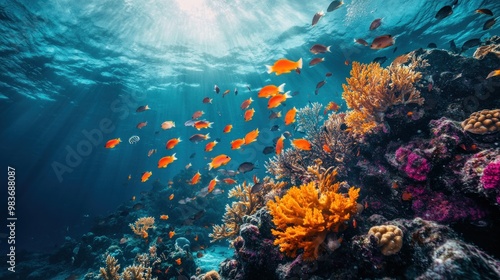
(67, 66)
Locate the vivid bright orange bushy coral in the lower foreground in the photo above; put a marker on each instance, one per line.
(304, 216)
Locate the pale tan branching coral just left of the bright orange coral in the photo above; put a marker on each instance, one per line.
(248, 203)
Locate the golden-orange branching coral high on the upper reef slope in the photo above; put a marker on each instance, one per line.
(371, 90)
